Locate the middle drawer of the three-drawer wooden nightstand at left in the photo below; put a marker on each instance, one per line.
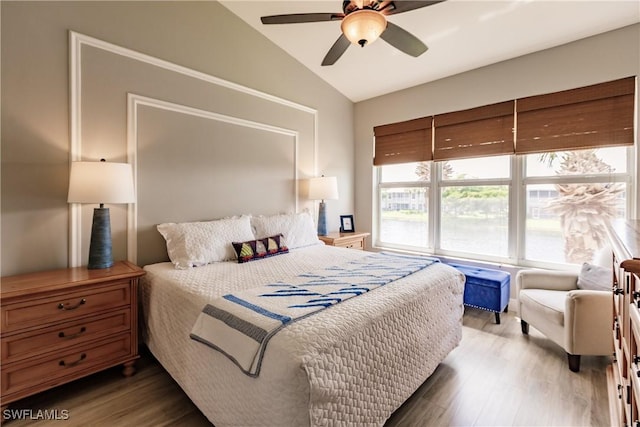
(59, 337)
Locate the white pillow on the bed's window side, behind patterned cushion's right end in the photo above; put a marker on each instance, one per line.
(298, 229)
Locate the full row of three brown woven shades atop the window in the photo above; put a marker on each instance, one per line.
(593, 116)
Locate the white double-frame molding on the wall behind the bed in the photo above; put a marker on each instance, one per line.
(78, 42)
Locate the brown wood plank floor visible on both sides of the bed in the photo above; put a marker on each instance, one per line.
(495, 377)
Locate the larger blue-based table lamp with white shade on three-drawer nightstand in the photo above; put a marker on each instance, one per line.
(100, 182)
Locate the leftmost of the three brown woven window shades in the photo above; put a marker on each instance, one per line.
(403, 142)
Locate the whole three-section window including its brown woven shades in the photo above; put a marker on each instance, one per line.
(531, 181)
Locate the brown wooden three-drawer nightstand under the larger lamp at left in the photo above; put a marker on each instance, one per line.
(60, 325)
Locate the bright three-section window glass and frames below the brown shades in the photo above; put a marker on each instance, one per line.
(565, 199)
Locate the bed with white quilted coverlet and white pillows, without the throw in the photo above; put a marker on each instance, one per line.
(355, 362)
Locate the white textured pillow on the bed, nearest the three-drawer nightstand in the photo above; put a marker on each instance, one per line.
(191, 244)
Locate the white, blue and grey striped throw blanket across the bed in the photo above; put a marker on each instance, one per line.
(240, 325)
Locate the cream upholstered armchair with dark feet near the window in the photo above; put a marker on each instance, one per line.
(578, 320)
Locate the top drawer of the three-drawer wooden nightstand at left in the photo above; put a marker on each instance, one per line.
(64, 306)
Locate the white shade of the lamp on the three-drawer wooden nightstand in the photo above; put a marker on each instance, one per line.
(101, 182)
